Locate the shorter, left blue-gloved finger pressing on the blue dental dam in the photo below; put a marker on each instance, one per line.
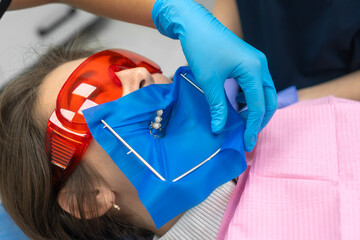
(218, 107)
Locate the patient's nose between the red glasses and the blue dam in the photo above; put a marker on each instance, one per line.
(134, 79)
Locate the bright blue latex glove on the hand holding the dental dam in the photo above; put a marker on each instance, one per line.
(214, 54)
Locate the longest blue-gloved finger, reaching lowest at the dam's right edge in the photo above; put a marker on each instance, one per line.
(254, 95)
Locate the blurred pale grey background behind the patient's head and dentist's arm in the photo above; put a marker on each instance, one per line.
(27, 33)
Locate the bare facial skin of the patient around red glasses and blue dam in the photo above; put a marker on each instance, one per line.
(132, 80)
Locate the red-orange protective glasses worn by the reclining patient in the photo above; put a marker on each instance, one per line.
(93, 82)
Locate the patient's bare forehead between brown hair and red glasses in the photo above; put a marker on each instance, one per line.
(51, 86)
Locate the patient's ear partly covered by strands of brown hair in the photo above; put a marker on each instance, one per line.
(105, 198)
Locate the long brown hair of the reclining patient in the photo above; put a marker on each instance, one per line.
(25, 173)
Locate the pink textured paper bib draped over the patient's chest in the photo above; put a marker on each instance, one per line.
(304, 178)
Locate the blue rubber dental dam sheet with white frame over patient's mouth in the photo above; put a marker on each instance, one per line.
(160, 137)
